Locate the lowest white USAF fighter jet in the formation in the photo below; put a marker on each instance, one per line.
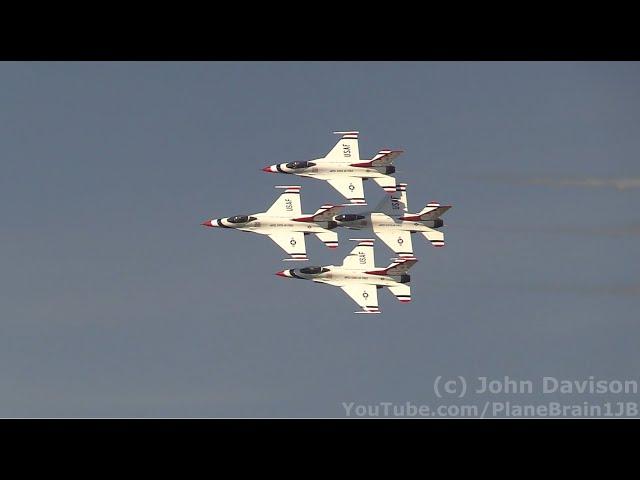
(359, 278)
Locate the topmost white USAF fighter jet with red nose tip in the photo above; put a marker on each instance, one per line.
(343, 168)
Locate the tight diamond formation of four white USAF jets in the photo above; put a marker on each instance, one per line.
(390, 221)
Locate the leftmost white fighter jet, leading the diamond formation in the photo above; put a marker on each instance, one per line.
(285, 224)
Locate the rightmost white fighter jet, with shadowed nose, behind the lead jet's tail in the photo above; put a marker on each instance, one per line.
(392, 223)
